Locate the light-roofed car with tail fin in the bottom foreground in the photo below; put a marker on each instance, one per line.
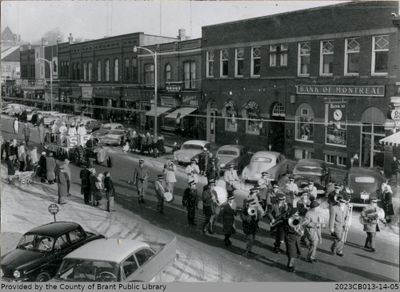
(116, 260)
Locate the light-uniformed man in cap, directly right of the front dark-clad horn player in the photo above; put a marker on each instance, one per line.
(312, 228)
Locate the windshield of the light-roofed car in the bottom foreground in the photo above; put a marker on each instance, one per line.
(79, 270)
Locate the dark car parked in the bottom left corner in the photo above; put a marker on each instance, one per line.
(40, 251)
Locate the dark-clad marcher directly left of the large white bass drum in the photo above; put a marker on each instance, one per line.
(210, 206)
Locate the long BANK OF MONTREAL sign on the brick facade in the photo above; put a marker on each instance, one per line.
(342, 90)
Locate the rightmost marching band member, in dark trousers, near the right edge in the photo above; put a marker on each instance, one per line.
(370, 217)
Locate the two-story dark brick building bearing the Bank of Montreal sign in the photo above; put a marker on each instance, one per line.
(311, 83)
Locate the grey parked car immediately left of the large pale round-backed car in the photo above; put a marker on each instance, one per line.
(232, 154)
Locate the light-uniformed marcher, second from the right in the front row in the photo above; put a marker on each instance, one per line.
(337, 224)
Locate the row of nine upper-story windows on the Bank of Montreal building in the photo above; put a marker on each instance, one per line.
(278, 57)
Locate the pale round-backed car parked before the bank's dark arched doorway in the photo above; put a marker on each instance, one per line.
(272, 162)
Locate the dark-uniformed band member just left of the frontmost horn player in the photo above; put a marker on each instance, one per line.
(279, 212)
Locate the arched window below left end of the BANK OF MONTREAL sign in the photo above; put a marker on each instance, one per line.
(304, 123)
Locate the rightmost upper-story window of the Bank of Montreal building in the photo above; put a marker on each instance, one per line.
(380, 55)
